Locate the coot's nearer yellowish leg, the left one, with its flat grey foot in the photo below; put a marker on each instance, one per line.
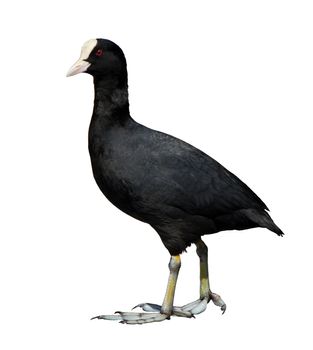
(158, 313)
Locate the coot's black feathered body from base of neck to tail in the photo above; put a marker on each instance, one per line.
(163, 181)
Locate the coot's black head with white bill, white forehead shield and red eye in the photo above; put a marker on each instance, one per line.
(101, 58)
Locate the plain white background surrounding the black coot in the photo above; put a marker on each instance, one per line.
(234, 78)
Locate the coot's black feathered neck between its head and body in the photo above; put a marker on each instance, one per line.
(111, 100)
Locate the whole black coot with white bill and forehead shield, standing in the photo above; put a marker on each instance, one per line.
(161, 180)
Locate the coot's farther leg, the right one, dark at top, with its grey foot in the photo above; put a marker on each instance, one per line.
(197, 306)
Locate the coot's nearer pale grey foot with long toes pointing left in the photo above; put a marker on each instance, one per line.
(134, 317)
